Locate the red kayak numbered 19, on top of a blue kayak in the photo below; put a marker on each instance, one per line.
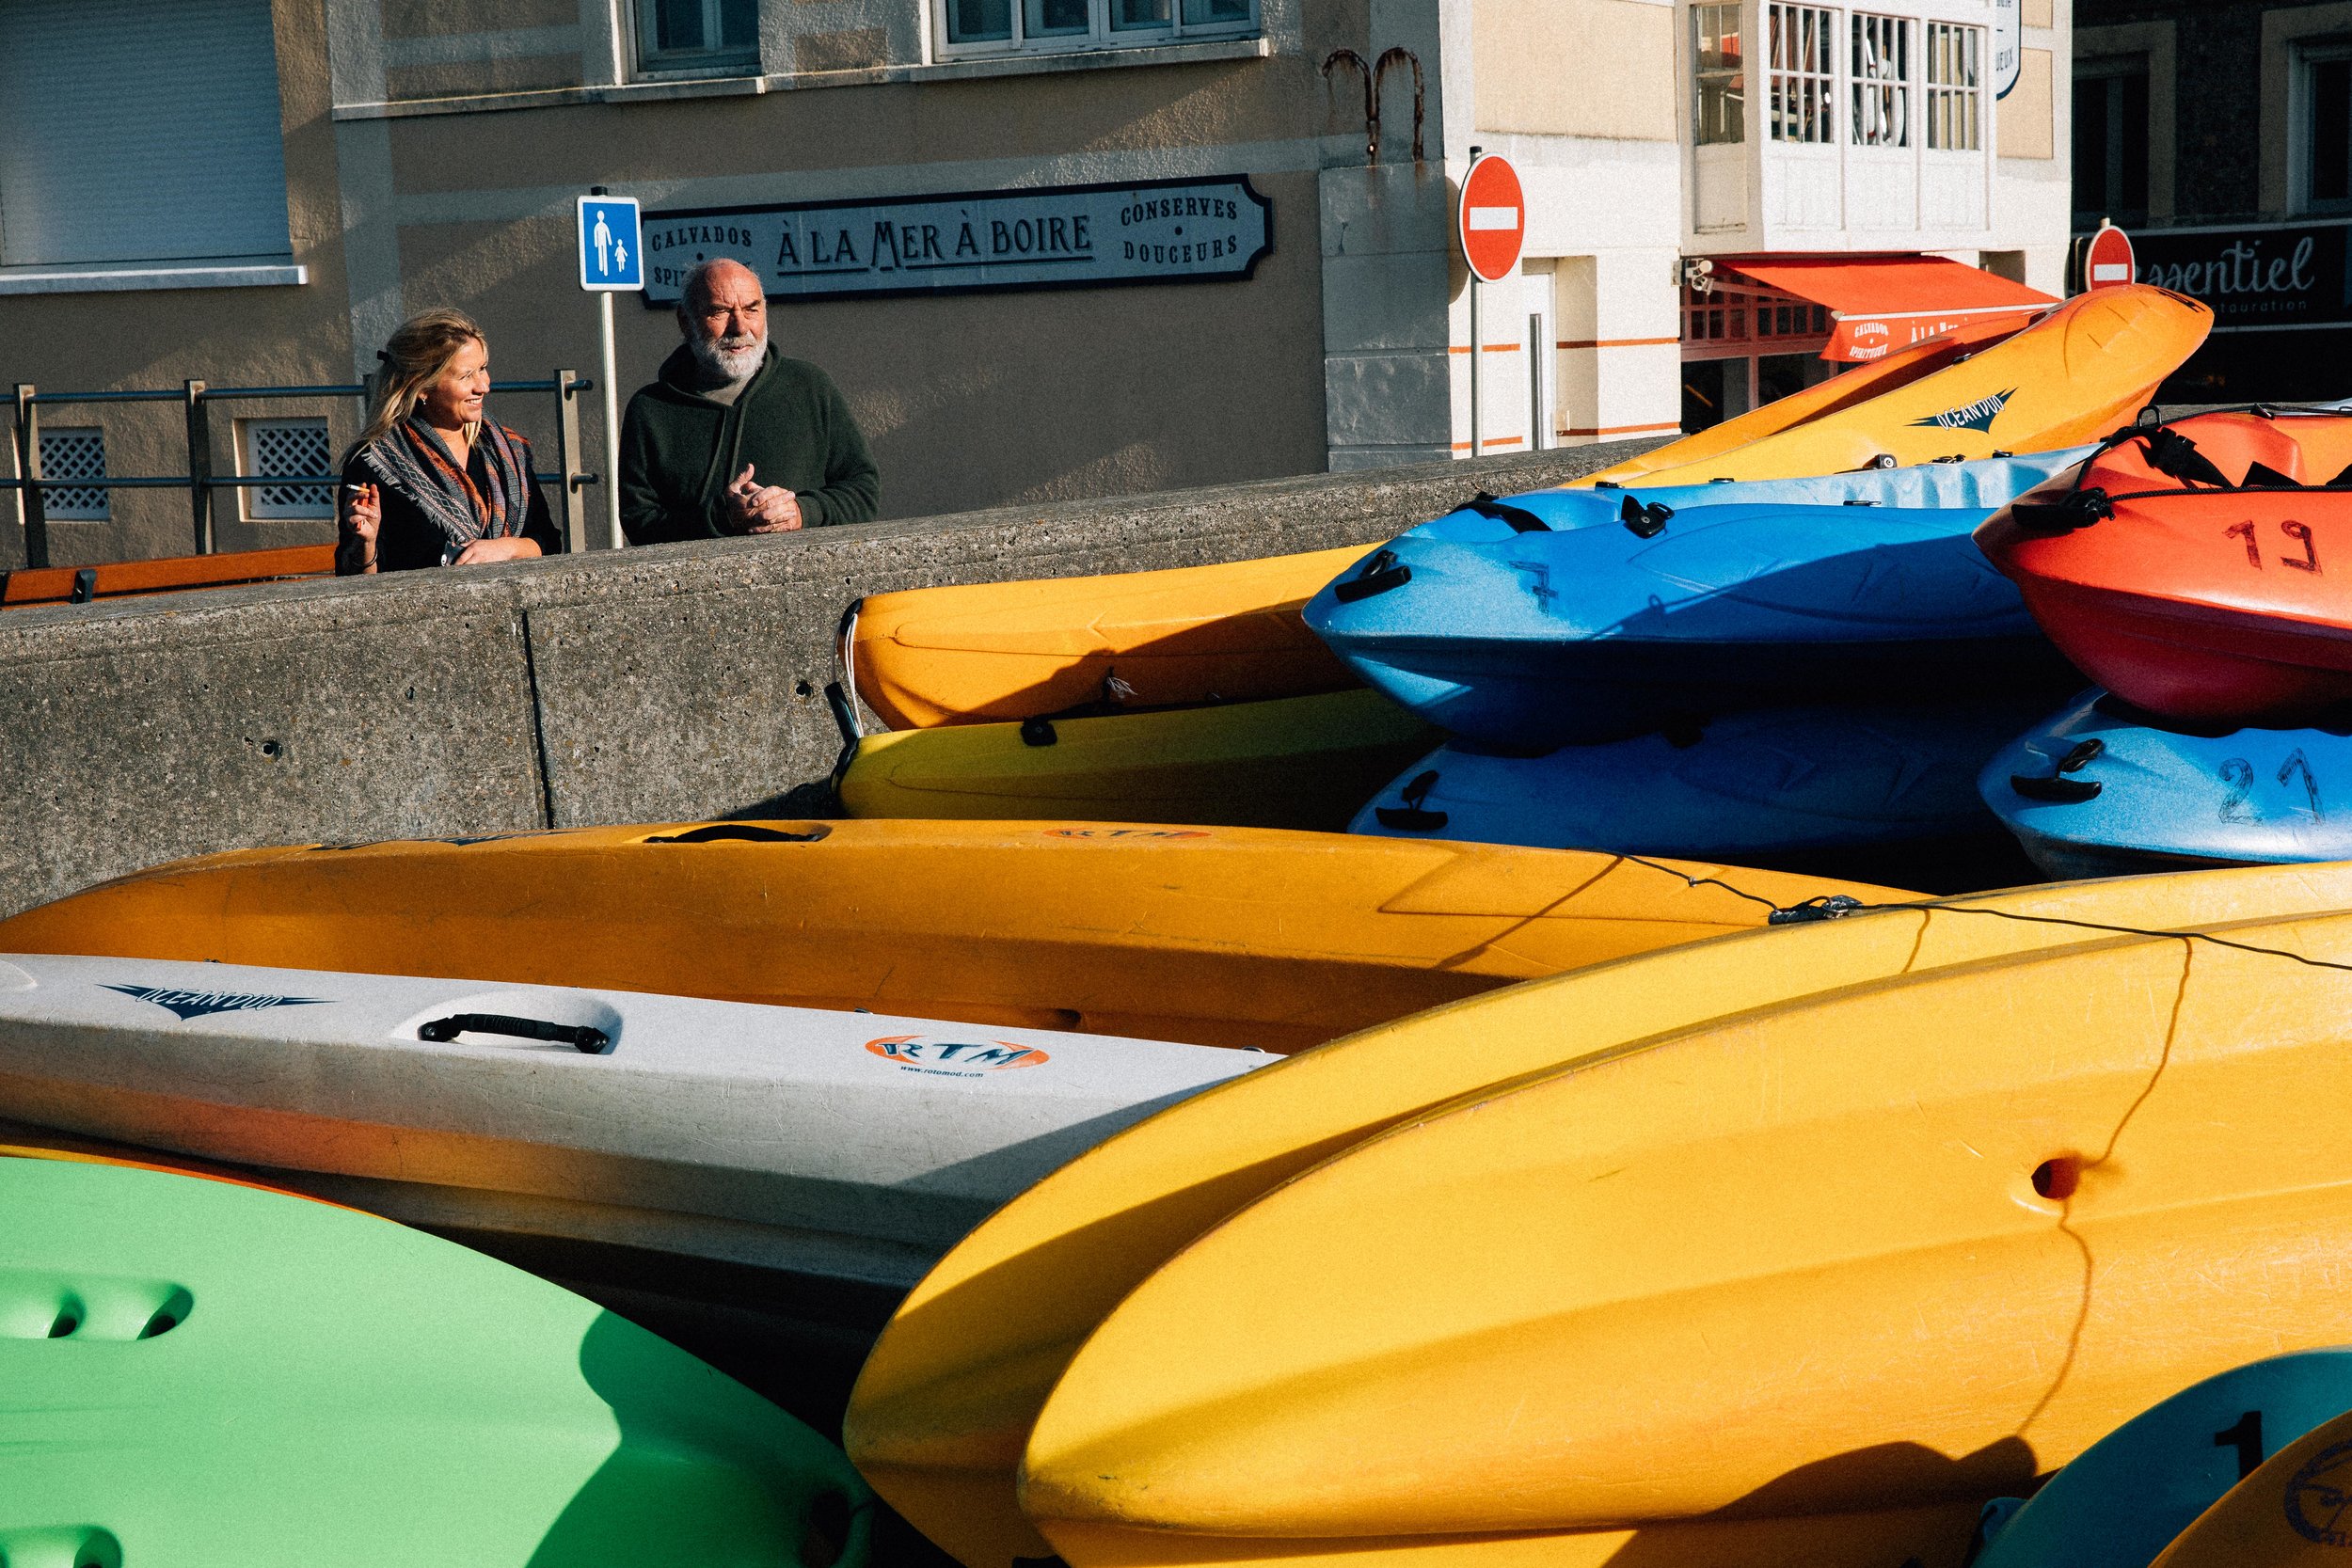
(2198, 570)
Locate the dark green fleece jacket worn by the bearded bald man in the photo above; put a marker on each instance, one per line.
(681, 450)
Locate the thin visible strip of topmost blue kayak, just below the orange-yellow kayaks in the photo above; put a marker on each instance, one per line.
(1986, 483)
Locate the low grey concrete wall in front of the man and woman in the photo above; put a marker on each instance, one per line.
(641, 685)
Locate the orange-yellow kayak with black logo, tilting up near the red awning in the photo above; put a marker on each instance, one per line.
(2076, 375)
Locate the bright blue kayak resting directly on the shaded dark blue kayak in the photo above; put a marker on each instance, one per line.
(1575, 636)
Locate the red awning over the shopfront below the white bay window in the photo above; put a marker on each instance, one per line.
(1883, 304)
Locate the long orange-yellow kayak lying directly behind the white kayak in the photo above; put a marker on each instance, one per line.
(1224, 937)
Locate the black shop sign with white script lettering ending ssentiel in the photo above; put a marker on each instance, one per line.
(2254, 279)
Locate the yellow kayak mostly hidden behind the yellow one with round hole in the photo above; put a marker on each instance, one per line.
(951, 1391)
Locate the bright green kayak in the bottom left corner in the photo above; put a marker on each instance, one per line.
(213, 1376)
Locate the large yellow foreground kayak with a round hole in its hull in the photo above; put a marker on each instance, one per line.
(1895, 1247)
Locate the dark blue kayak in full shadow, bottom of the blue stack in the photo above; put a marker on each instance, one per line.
(1749, 786)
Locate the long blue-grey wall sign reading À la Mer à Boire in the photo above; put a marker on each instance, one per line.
(1048, 239)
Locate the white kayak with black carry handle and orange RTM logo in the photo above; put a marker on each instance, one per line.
(815, 1144)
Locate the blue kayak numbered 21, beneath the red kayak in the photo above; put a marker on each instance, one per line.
(2102, 791)
